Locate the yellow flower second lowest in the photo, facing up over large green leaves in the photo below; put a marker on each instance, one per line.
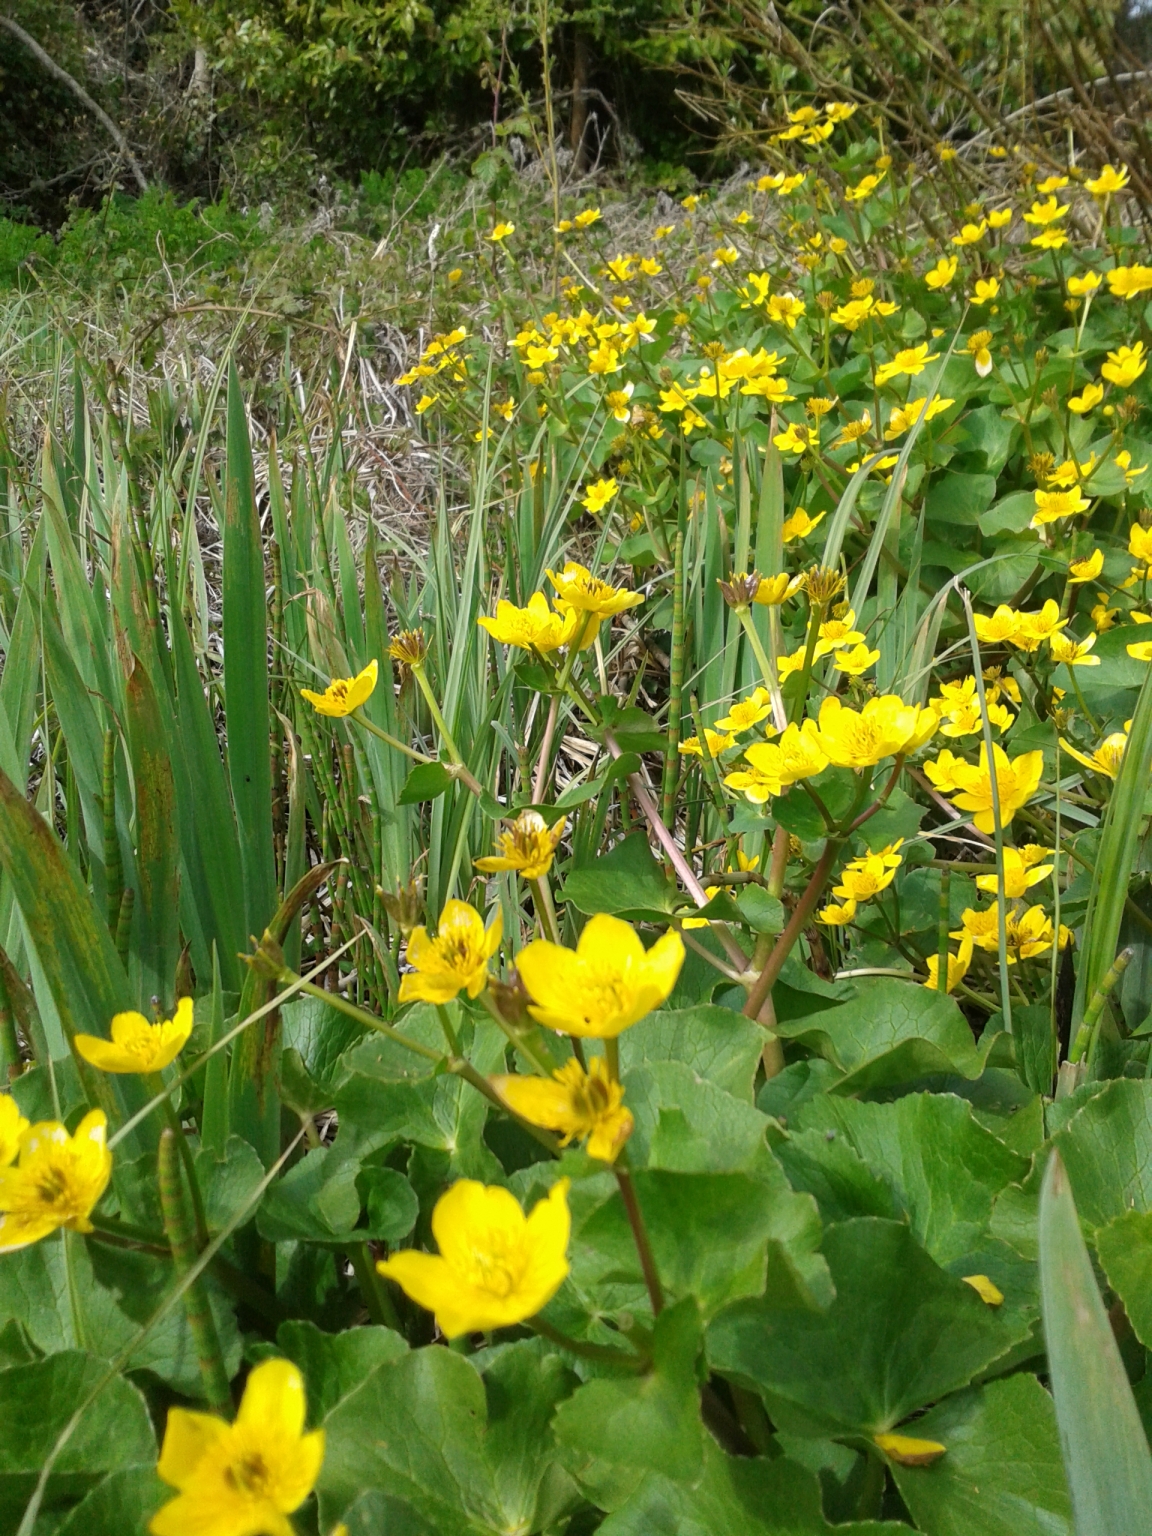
(495, 1266)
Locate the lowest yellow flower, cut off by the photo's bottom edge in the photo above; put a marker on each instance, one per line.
(242, 1478)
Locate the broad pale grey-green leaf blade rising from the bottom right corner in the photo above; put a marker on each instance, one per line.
(1107, 1457)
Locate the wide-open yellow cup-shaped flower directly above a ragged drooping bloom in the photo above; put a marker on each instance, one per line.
(607, 984)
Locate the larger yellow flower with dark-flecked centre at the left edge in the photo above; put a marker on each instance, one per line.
(56, 1182)
